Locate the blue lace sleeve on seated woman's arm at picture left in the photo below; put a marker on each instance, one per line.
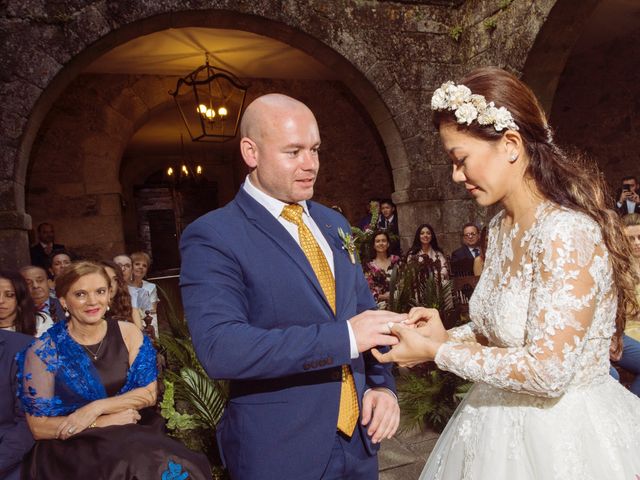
(37, 367)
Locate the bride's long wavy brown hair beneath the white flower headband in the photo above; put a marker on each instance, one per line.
(567, 180)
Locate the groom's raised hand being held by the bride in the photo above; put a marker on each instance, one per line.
(371, 328)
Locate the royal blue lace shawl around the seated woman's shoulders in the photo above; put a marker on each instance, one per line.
(56, 377)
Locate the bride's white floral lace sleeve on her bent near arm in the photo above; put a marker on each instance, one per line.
(568, 271)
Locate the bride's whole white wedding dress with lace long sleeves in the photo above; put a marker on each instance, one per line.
(543, 406)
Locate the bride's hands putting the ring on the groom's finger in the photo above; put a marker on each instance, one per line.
(420, 337)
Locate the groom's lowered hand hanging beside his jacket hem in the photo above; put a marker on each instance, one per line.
(380, 413)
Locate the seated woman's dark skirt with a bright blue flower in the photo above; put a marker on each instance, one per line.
(126, 452)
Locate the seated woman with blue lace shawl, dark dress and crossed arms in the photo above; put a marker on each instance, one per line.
(86, 386)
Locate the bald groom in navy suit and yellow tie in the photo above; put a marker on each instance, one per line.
(277, 305)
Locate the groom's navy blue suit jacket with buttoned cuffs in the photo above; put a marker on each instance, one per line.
(258, 317)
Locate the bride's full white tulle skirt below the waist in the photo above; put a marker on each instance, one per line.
(589, 433)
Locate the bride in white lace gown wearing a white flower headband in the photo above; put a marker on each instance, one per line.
(555, 289)
